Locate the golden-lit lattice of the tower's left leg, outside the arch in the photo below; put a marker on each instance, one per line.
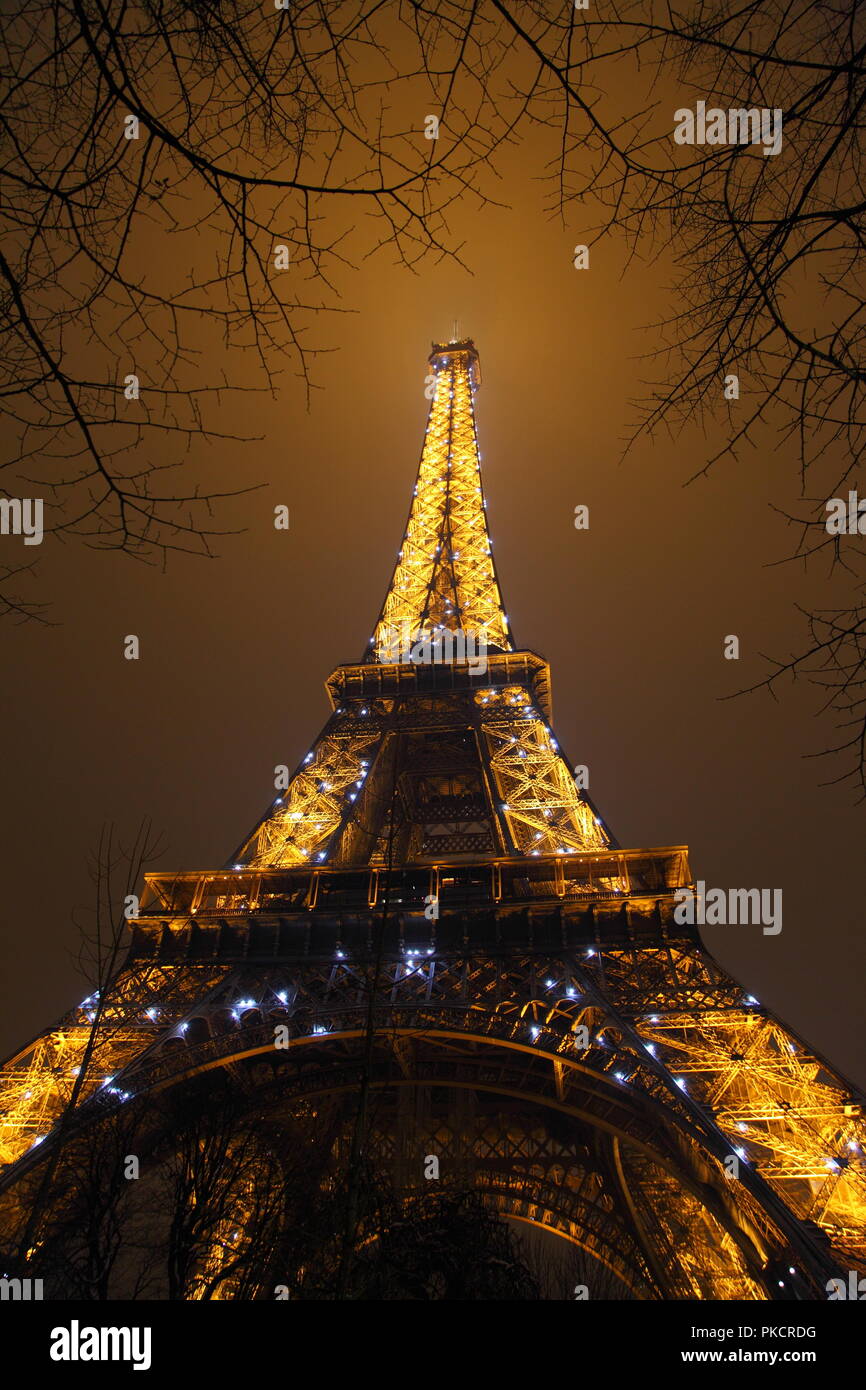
(37, 1084)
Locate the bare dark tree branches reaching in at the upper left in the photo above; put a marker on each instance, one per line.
(159, 155)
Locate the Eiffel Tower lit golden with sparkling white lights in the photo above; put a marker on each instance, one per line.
(434, 910)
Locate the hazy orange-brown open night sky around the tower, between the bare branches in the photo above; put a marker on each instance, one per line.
(632, 615)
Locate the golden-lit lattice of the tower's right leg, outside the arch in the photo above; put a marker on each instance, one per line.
(782, 1109)
